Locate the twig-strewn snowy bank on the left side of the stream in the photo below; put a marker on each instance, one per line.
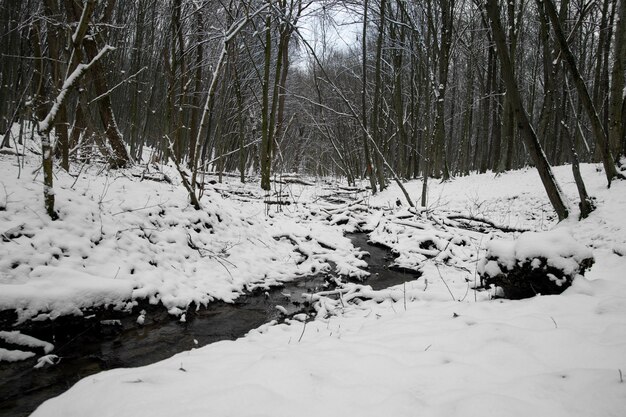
(120, 238)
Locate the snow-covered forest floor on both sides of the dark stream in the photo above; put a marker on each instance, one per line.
(432, 347)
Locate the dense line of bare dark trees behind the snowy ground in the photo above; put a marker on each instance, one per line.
(432, 88)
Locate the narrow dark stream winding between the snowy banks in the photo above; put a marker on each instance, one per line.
(89, 346)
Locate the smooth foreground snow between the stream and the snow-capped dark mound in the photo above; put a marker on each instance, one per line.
(492, 359)
